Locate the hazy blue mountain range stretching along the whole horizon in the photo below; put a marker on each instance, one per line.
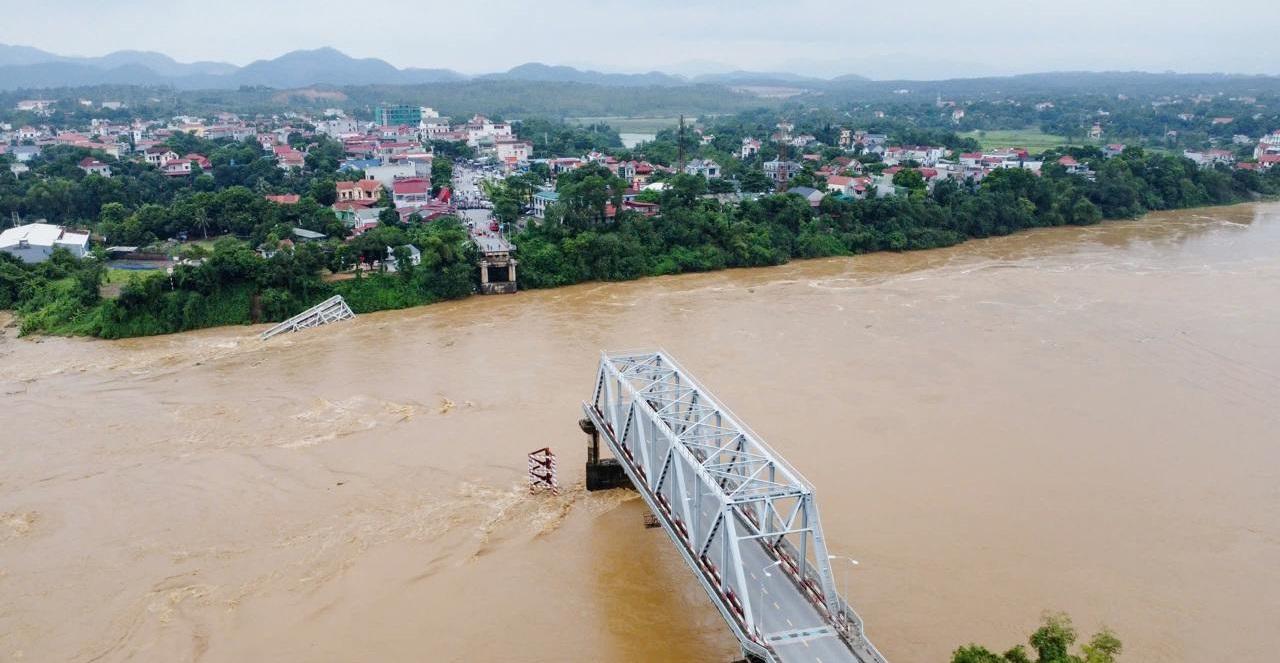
(28, 68)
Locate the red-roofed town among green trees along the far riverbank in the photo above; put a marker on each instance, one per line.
(368, 194)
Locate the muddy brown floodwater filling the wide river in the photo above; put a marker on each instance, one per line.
(1073, 419)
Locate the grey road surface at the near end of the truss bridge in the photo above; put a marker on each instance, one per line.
(792, 625)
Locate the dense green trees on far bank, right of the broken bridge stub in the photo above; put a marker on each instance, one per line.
(693, 234)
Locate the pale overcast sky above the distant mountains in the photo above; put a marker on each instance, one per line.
(918, 39)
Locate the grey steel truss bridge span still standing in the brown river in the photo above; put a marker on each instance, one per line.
(743, 519)
